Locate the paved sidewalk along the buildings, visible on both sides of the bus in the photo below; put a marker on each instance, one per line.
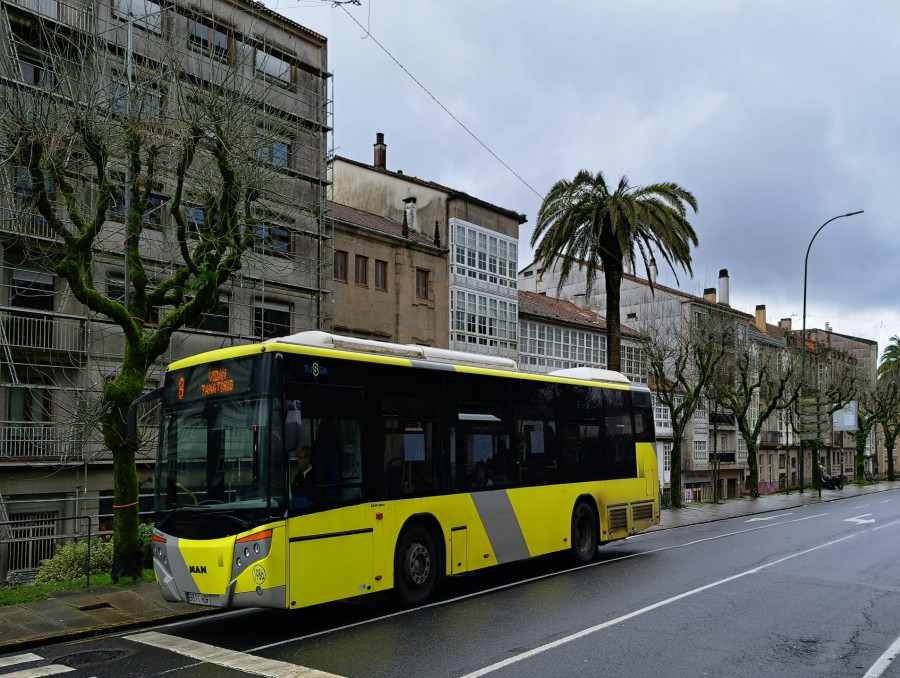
(70, 615)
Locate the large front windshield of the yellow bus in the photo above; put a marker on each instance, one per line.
(216, 457)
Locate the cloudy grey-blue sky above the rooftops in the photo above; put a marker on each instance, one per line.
(777, 116)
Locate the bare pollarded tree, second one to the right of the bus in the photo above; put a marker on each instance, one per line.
(755, 379)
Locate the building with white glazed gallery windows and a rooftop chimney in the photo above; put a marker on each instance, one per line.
(483, 249)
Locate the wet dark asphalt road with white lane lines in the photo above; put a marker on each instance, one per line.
(812, 591)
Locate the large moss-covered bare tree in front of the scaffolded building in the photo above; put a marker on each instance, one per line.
(99, 142)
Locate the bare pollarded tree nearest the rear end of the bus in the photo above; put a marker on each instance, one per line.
(682, 358)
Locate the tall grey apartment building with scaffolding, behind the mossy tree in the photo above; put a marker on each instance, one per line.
(55, 355)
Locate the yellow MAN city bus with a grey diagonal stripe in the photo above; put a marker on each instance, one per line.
(316, 467)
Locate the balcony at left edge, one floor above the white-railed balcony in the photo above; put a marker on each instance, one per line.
(42, 336)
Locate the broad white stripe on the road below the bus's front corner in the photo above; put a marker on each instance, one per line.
(240, 661)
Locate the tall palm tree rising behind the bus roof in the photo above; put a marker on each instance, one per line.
(589, 224)
